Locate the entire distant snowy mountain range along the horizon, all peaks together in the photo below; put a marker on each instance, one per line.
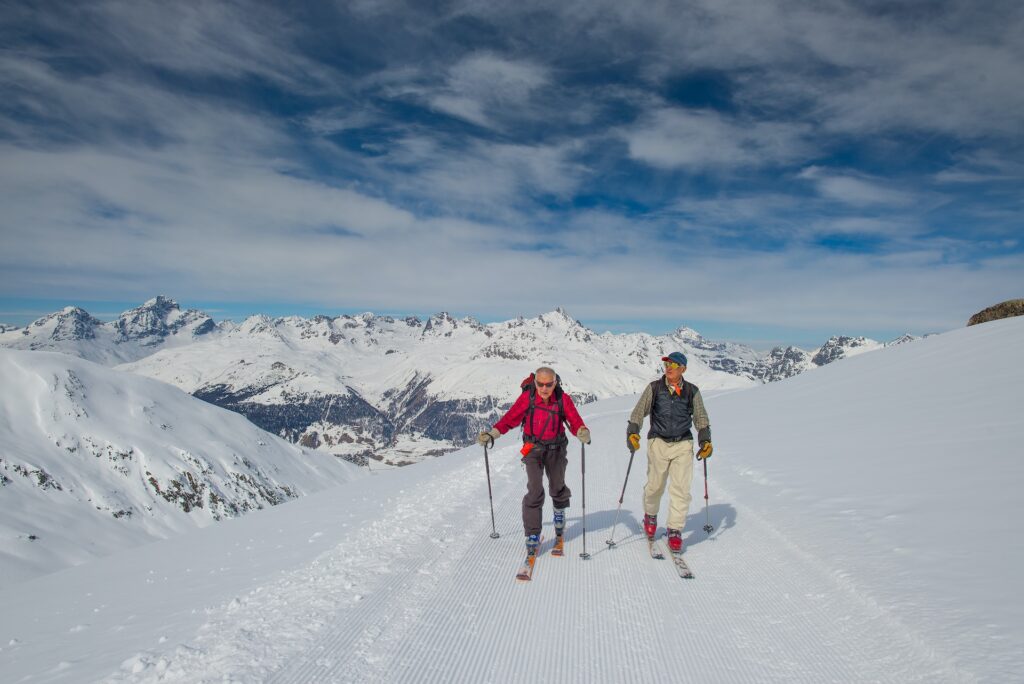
(398, 391)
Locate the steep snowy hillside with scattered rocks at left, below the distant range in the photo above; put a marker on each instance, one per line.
(95, 460)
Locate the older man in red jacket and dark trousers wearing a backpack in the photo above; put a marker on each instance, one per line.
(542, 410)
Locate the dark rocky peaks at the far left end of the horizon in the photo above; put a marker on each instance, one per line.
(137, 333)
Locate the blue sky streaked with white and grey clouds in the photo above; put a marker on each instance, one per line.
(767, 173)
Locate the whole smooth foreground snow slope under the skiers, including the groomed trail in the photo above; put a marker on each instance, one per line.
(866, 531)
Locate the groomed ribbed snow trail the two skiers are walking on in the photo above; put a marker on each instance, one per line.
(422, 594)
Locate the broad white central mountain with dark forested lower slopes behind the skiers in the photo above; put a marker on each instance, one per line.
(370, 387)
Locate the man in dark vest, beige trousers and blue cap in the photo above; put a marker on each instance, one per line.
(674, 406)
